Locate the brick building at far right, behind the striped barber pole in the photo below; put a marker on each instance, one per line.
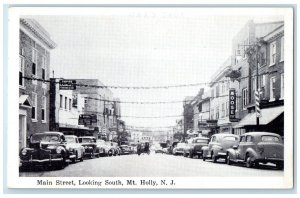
(268, 57)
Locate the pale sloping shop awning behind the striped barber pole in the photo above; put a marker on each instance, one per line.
(267, 116)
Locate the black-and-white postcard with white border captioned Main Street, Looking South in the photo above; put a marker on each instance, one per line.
(150, 97)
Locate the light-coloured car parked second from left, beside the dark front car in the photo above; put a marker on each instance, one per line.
(76, 150)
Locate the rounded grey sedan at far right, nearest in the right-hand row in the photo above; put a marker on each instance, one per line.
(258, 147)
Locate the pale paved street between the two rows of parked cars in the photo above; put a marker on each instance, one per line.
(154, 165)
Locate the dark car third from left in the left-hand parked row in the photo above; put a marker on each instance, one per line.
(89, 144)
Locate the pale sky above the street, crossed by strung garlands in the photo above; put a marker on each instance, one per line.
(141, 48)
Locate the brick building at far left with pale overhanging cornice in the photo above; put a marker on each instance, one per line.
(34, 62)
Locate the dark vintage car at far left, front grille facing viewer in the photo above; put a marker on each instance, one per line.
(45, 149)
